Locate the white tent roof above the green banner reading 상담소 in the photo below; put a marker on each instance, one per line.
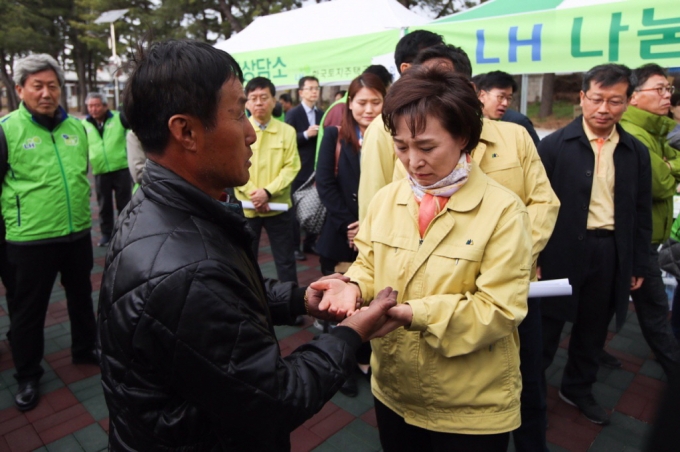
(322, 21)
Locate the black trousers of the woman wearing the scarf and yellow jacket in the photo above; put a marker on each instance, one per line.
(398, 436)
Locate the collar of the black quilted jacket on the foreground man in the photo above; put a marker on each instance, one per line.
(163, 186)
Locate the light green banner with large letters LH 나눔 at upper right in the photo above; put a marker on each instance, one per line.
(631, 32)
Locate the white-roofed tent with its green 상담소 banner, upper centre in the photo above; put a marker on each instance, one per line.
(334, 41)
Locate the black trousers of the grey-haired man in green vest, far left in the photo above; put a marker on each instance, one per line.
(36, 270)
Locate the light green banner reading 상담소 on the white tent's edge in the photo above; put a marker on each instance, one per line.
(331, 61)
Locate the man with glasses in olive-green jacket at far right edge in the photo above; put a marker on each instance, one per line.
(647, 120)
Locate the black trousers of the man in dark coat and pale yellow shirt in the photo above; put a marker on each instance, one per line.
(595, 311)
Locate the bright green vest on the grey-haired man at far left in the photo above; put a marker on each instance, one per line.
(45, 193)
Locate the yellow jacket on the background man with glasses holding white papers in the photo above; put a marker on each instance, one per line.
(275, 163)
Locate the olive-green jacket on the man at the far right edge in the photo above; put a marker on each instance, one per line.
(651, 130)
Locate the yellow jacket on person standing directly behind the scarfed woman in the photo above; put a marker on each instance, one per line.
(506, 153)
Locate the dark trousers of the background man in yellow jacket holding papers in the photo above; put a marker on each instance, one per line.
(278, 229)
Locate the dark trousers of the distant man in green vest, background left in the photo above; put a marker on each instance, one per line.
(105, 184)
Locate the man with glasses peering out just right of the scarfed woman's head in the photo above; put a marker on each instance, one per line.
(495, 90)
